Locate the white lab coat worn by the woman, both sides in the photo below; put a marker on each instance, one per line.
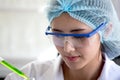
(52, 70)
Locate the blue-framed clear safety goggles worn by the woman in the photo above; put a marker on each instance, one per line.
(76, 40)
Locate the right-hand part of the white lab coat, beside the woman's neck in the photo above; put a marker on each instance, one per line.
(111, 71)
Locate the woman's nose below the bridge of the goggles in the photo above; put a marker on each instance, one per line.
(68, 47)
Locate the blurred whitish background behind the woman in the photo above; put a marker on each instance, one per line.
(22, 27)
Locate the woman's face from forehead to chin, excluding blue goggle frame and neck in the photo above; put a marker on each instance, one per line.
(75, 56)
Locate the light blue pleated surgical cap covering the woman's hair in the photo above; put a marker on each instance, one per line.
(92, 13)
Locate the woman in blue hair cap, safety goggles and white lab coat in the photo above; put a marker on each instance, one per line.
(83, 33)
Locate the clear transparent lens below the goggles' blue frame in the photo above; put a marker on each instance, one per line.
(74, 41)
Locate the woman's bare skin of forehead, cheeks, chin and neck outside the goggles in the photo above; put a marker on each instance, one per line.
(79, 63)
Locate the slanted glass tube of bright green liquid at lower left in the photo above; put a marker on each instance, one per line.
(12, 68)
